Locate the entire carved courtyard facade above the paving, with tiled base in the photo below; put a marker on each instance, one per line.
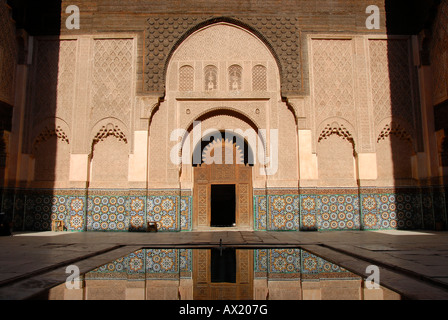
(250, 115)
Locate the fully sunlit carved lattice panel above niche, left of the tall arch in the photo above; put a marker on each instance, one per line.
(112, 79)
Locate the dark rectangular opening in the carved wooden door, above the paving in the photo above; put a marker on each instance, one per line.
(223, 203)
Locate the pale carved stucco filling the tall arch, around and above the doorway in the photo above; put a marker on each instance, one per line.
(257, 98)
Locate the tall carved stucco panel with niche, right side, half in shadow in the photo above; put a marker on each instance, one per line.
(395, 115)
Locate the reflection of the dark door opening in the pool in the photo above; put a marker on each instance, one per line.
(223, 265)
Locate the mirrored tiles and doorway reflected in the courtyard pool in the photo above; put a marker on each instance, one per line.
(220, 274)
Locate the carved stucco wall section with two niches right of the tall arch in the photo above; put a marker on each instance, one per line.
(380, 105)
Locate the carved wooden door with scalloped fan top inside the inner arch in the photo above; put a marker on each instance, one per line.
(222, 189)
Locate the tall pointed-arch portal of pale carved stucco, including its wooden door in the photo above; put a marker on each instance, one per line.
(225, 78)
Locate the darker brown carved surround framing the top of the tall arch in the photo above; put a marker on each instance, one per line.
(280, 33)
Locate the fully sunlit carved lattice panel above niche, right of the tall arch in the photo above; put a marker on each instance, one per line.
(333, 79)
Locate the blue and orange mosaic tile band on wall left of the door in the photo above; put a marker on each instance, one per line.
(98, 210)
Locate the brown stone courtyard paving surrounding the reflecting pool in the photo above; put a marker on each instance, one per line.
(413, 263)
